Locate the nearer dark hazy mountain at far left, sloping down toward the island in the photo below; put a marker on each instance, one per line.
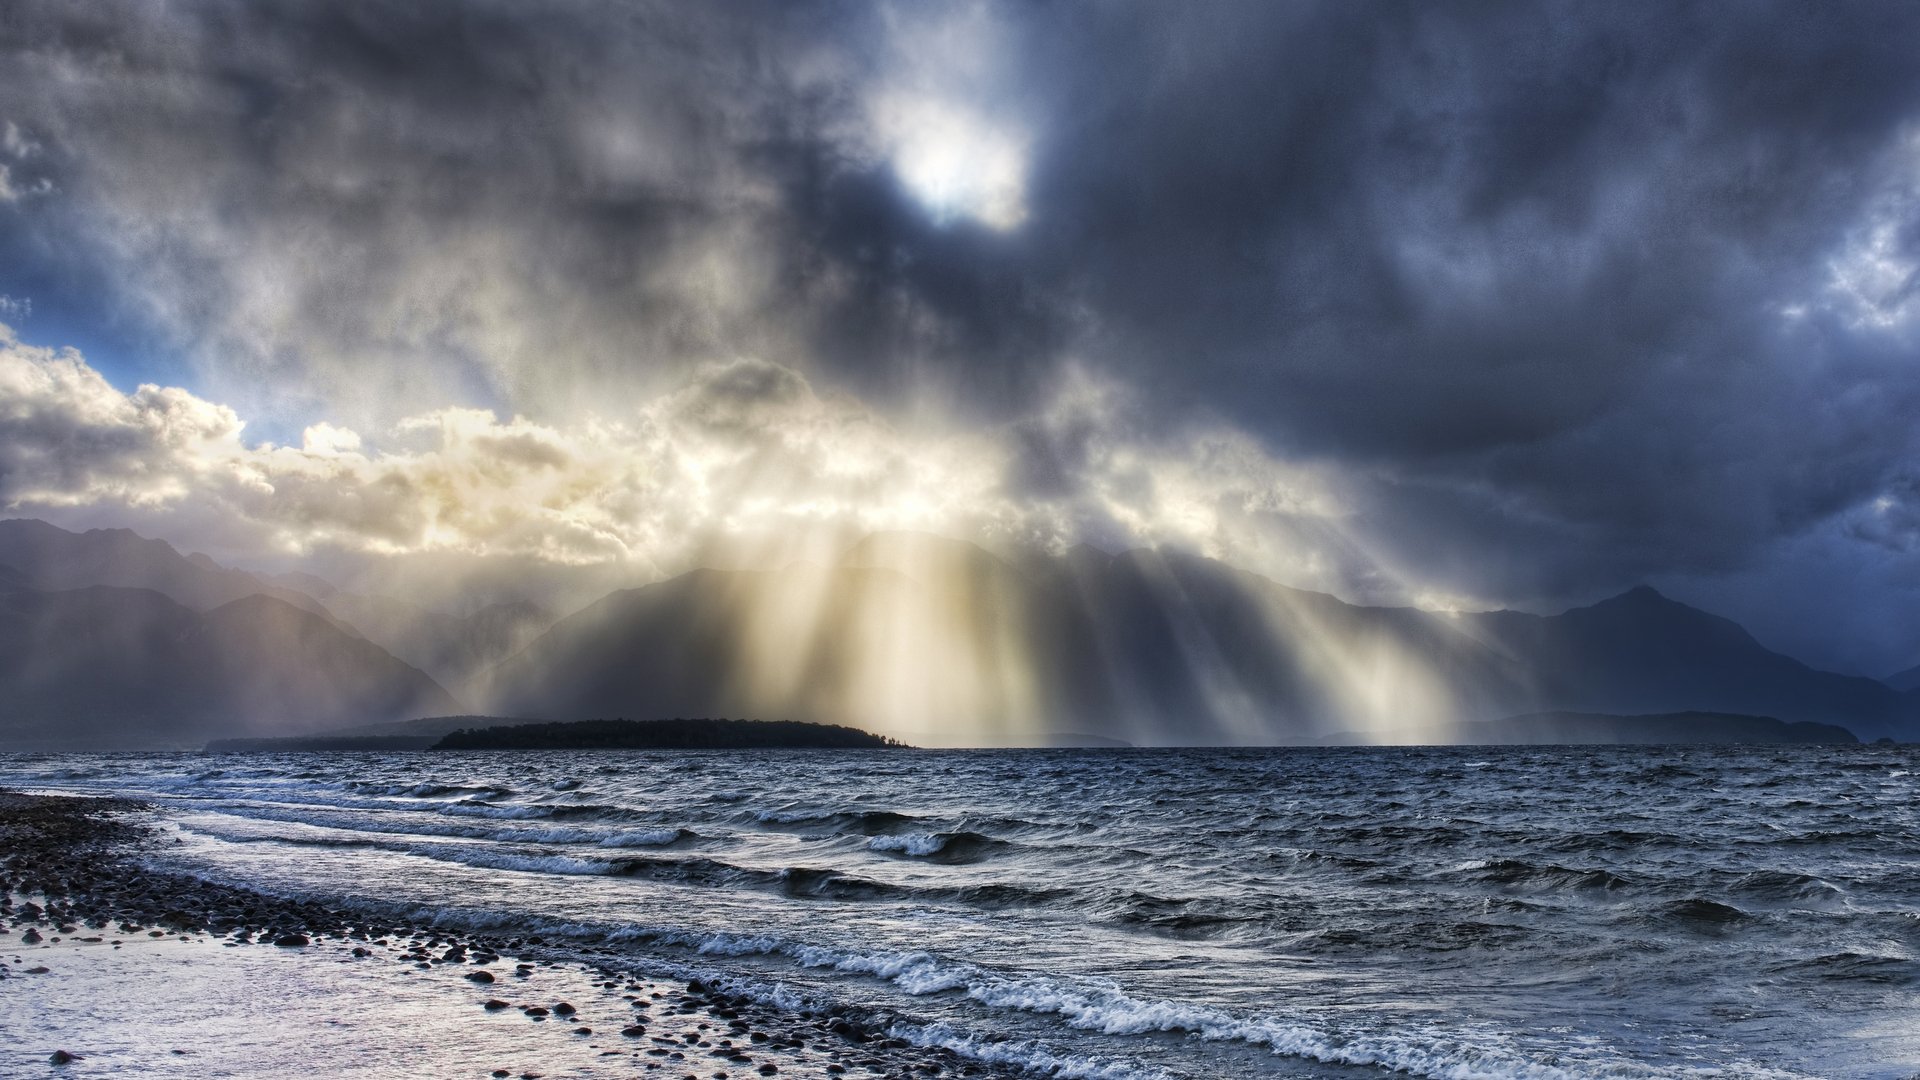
(133, 670)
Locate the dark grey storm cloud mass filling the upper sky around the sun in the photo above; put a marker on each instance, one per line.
(1575, 295)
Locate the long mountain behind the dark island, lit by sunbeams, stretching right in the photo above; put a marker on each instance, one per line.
(936, 641)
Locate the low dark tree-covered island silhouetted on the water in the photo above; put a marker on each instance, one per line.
(667, 735)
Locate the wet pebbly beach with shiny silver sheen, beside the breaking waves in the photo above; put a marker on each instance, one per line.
(118, 960)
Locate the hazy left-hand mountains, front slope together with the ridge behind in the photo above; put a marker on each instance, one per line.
(285, 675)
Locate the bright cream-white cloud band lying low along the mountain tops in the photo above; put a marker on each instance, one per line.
(742, 453)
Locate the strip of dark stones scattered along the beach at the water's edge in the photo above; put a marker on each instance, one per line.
(93, 887)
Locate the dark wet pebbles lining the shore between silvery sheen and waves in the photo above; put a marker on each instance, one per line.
(70, 843)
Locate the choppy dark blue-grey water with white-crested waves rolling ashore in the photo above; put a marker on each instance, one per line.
(1429, 912)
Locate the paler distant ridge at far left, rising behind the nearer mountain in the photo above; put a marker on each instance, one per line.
(49, 558)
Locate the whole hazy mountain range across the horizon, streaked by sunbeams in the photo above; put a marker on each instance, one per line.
(120, 641)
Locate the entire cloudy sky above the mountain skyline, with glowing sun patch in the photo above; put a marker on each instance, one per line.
(1462, 307)
